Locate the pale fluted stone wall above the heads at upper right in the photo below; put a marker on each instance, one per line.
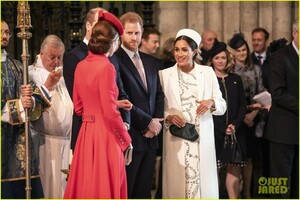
(227, 18)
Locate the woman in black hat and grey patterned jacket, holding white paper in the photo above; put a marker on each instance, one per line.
(252, 80)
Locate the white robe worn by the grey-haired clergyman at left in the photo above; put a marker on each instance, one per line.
(51, 133)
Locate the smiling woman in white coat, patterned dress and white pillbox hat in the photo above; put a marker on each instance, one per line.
(191, 95)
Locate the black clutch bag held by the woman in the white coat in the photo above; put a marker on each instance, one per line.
(188, 132)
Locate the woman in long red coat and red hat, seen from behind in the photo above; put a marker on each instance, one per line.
(98, 167)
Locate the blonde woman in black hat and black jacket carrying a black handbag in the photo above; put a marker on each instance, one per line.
(232, 90)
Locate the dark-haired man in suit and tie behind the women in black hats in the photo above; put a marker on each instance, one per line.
(260, 57)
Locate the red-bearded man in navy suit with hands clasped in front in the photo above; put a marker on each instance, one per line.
(139, 72)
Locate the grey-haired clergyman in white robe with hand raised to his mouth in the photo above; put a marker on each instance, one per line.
(51, 132)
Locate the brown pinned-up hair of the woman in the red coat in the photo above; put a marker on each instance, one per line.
(103, 35)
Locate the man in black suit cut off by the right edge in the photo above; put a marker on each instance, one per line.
(283, 123)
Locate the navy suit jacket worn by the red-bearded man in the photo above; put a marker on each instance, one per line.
(147, 104)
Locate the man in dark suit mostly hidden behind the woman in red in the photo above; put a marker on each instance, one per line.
(70, 61)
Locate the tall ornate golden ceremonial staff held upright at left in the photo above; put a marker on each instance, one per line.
(24, 23)
